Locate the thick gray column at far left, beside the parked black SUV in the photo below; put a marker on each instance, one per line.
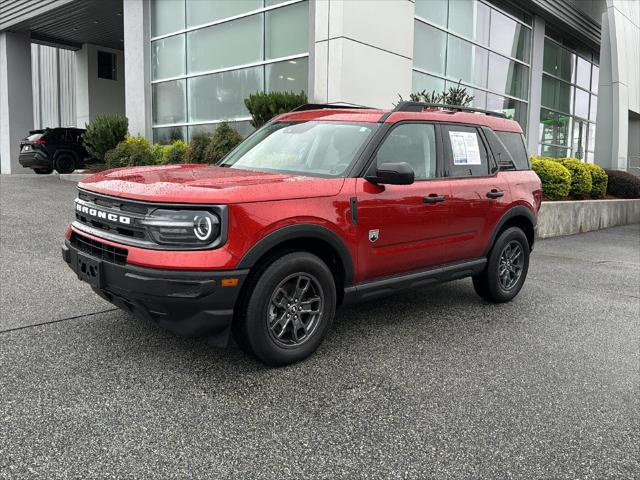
(16, 98)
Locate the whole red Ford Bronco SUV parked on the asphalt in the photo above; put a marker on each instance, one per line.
(322, 206)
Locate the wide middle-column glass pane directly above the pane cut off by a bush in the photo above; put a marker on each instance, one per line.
(238, 42)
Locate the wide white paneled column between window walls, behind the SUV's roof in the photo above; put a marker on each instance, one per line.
(362, 52)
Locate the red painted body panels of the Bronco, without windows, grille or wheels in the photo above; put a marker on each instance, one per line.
(414, 235)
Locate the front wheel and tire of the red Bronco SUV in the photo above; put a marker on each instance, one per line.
(272, 315)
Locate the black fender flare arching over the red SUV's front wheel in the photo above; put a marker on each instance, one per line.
(295, 232)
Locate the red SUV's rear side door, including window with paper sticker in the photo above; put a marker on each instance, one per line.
(479, 193)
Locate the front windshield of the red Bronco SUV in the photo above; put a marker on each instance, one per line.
(323, 149)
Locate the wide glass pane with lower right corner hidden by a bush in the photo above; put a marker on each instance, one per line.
(220, 96)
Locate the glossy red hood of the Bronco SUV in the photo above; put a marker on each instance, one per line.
(207, 184)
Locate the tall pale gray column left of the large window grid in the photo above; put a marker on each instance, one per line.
(137, 66)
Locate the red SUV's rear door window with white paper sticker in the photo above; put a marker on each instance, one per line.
(466, 153)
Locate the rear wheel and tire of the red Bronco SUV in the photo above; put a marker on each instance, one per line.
(509, 256)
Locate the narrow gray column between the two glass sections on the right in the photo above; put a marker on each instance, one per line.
(535, 82)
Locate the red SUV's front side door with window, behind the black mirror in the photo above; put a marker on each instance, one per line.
(403, 227)
